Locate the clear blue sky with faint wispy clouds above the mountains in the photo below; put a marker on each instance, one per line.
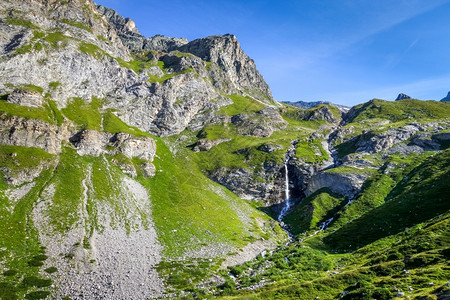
(344, 51)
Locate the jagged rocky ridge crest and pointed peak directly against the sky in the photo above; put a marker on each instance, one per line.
(222, 50)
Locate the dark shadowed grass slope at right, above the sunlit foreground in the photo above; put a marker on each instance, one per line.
(422, 195)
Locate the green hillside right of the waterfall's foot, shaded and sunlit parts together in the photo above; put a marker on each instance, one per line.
(391, 241)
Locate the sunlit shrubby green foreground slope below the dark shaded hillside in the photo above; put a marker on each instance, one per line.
(411, 264)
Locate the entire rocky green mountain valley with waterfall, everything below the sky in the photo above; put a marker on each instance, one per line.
(140, 167)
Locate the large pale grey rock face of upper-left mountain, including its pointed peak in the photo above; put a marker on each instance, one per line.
(82, 65)
